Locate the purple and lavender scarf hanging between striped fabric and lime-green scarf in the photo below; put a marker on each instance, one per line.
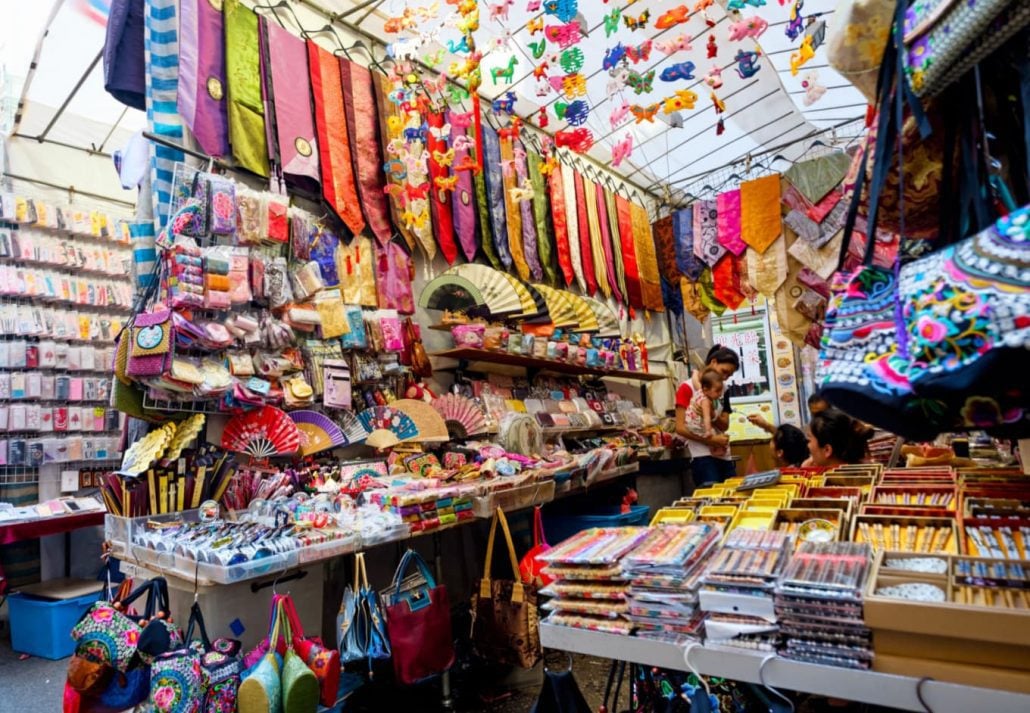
(202, 76)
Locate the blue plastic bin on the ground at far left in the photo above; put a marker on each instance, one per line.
(43, 627)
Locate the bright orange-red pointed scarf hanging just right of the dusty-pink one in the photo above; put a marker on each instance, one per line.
(339, 189)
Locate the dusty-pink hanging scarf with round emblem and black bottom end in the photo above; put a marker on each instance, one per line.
(295, 125)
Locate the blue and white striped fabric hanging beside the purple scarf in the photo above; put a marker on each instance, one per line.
(162, 51)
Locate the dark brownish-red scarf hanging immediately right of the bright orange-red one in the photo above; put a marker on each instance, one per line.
(363, 128)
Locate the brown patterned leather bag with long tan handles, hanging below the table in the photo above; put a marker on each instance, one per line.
(505, 622)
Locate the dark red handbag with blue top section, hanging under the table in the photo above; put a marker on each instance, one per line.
(419, 623)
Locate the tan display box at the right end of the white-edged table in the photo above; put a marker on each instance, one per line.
(946, 631)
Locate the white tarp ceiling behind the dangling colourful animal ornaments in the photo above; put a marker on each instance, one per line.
(763, 111)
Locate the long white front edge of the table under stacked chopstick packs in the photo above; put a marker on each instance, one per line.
(863, 687)
